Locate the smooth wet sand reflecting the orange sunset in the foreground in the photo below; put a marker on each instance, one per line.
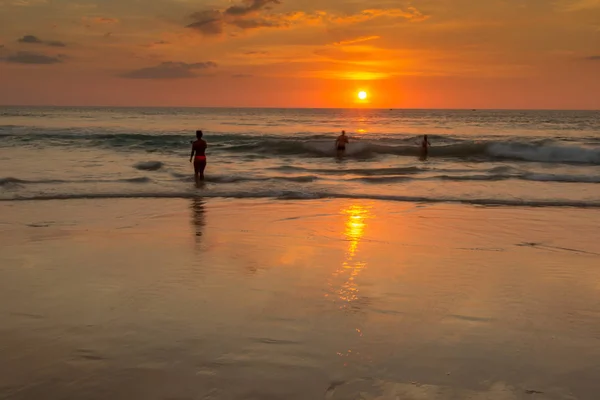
(251, 299)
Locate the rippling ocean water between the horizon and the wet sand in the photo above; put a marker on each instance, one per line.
(484, 157)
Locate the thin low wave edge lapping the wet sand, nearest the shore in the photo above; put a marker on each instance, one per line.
(298, 195)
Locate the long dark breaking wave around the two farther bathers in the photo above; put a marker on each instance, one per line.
(318, 145)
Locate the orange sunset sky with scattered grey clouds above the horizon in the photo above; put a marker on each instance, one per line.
(508, 54)
